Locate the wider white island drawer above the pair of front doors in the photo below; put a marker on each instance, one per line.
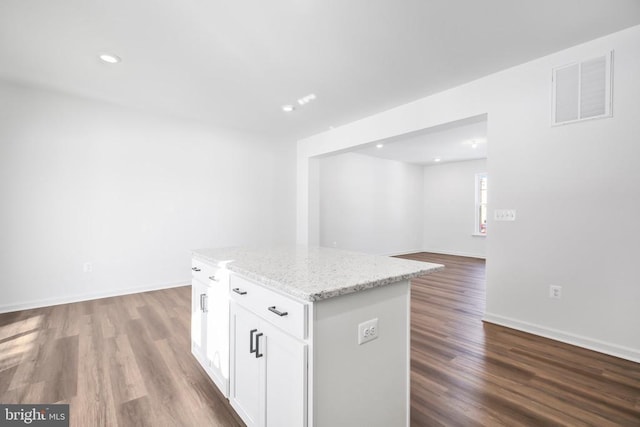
(286, 313)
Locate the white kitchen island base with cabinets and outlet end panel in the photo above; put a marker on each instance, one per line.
(285, 362)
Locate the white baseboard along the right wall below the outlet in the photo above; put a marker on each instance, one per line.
(566, 337)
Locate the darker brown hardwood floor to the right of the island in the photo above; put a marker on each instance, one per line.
(466, 373)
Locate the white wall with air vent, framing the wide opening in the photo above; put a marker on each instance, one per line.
(575, 189)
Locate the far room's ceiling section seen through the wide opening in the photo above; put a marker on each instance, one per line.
(453, 142)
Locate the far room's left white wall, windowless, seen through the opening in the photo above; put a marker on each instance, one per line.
(370, 205)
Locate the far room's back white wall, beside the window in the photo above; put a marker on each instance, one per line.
(449, 209)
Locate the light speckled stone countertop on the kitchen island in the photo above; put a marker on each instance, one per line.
(314, 273)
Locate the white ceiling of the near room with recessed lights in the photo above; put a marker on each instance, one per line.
(235, 63)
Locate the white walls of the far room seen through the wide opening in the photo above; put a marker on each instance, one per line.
(387, 207)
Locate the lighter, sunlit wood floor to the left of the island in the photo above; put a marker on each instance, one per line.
(122, 361)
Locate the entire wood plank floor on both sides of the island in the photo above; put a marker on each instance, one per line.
(125, 361)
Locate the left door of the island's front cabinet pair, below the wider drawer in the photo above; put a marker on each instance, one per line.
(247, 371)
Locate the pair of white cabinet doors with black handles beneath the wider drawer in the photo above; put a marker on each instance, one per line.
(268, 371)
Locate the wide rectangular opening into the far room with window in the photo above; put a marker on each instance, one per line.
(416, 192)
